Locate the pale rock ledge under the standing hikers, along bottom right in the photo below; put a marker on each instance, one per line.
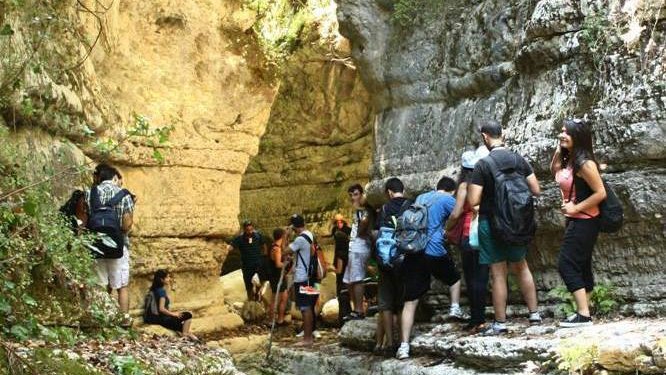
(612, 346)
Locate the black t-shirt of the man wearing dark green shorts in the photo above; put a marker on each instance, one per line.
(483, 176)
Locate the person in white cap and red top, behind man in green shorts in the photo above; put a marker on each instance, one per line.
(475, 273)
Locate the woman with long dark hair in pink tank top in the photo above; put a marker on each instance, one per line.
(576, 171)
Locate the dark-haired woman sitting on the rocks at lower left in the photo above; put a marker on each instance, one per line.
(179, 322)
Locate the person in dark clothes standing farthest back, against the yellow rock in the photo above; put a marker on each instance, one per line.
(251, 245)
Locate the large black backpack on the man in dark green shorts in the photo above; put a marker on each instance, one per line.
(512, 221)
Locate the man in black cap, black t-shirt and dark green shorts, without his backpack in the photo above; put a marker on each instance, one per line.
(500, 255)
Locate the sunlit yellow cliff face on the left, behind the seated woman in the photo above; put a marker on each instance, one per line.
(198, 67)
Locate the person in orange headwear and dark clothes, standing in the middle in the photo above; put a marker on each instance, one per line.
(340, 233)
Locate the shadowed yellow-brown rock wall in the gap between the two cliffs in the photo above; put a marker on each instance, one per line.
(318, 137)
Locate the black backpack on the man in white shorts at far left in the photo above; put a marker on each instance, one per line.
(104, 220)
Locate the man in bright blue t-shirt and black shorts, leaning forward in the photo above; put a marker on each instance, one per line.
(436, 260)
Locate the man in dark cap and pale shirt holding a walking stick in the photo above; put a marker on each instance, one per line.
(306, 295)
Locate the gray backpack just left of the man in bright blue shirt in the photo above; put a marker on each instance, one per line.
(411, 233)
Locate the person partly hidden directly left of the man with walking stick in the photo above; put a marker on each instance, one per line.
(279, 262)
